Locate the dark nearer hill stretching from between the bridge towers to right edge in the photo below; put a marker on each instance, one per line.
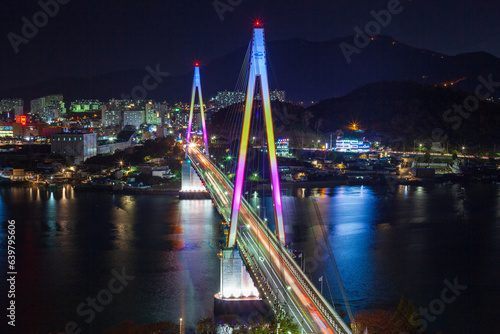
(394, 111)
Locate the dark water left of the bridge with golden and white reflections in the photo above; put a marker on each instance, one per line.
(70, 242)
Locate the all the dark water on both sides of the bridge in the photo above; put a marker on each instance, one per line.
(385, 244)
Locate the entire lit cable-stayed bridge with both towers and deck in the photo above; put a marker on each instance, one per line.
(256, 262)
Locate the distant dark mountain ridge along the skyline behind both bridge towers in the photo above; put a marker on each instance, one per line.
(308, 71)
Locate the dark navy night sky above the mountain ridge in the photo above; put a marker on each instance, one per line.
(91, 37)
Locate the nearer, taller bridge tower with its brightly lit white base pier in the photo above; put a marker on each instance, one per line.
(237, 287)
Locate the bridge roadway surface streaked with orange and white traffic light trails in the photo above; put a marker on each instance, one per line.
(289, 292)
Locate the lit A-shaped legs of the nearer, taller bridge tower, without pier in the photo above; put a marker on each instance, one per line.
(258, 71)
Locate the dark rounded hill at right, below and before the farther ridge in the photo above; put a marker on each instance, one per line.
(411, 111)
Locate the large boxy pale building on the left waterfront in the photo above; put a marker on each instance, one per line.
(74, 145)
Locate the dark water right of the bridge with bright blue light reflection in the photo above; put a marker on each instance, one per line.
(406, 242)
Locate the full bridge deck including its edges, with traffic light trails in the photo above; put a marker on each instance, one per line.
(291, 287)
